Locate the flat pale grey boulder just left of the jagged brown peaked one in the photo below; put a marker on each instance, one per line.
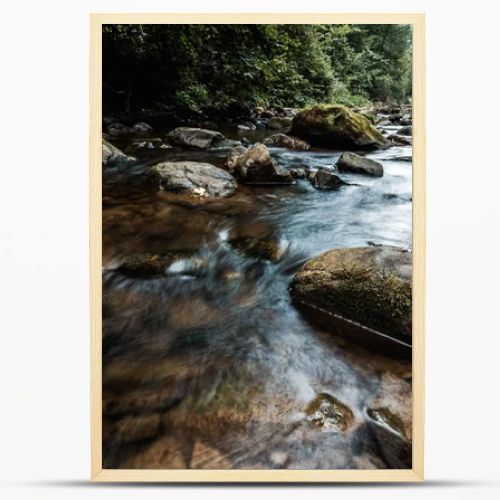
(193, 178)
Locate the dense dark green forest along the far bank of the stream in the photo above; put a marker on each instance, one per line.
(219, 66)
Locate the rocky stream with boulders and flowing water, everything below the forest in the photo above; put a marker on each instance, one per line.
(209, 361)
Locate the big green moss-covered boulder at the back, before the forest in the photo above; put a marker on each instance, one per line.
(338, 127)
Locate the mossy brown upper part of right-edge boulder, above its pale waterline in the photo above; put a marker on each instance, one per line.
(371, 286)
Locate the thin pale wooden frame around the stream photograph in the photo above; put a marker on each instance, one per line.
(98, 473)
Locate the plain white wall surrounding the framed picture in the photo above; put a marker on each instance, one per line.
(44, 446)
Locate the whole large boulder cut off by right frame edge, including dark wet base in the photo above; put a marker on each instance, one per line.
(363, 293)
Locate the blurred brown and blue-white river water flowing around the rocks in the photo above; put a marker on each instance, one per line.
(213, 348)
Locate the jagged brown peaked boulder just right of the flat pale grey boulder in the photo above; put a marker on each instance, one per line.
(256, 166)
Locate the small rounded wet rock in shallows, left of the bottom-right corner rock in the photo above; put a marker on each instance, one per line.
(329, 413)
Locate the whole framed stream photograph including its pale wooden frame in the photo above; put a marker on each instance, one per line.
(257, 247)
